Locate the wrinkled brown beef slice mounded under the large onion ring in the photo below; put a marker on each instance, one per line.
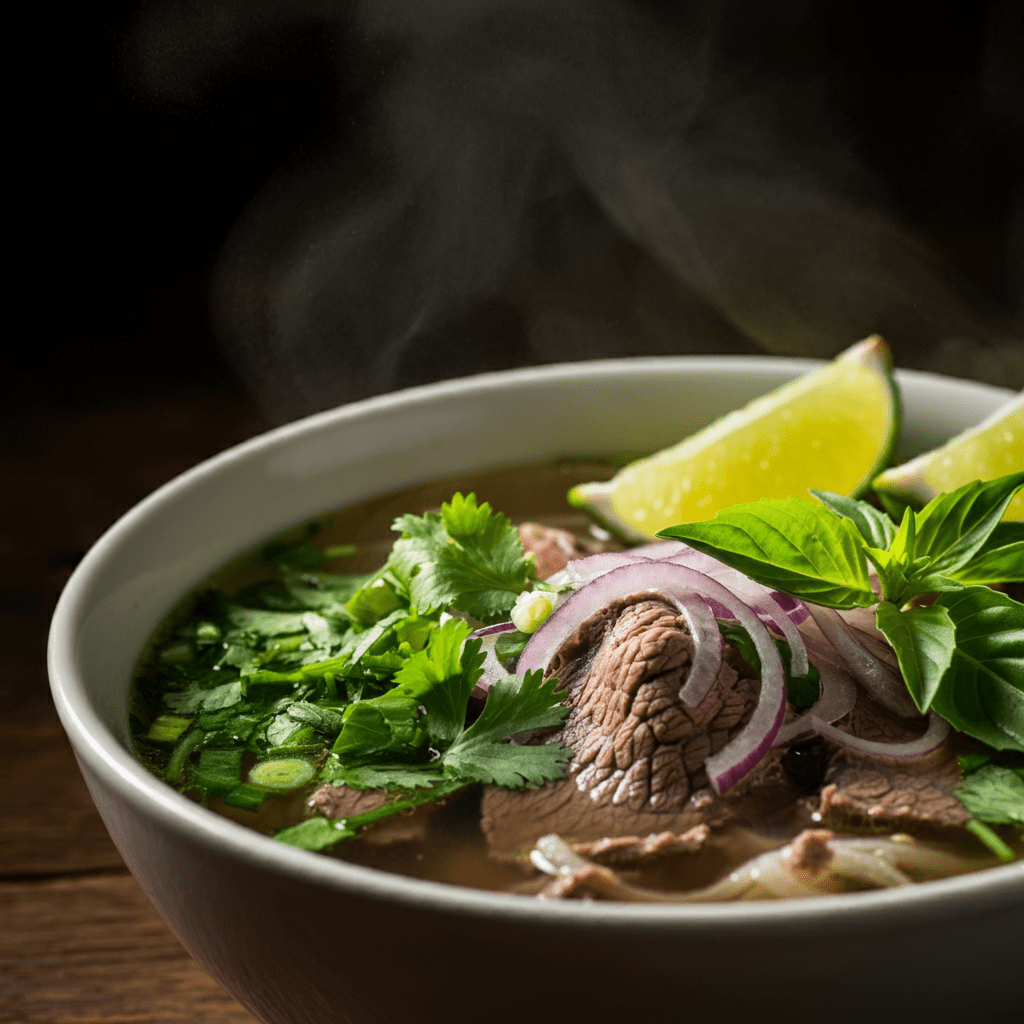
(639, 751)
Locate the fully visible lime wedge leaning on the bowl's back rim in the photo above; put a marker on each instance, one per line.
(833, 430)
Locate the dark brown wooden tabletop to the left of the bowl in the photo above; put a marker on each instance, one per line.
(79, 943)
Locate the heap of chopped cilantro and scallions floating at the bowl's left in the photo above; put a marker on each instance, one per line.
(355, 676)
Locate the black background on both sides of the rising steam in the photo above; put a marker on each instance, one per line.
(123, 193)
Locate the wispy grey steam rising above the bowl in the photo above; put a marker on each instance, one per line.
(540, 181)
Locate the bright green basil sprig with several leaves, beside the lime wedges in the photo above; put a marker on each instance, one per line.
(963, 656)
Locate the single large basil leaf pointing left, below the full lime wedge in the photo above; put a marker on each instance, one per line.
(789, 545)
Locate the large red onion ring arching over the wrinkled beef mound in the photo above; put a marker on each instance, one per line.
(733, 762)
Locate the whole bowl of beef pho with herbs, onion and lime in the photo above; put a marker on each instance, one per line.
(389, 729)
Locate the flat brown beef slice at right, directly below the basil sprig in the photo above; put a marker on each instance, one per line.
(884, 795)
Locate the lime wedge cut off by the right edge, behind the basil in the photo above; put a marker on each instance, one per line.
(994, 448)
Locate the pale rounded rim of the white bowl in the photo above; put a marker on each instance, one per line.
(100, 751)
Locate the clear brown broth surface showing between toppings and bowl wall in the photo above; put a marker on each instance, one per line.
(451, 847)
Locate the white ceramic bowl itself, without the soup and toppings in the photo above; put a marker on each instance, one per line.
(298, 937)
